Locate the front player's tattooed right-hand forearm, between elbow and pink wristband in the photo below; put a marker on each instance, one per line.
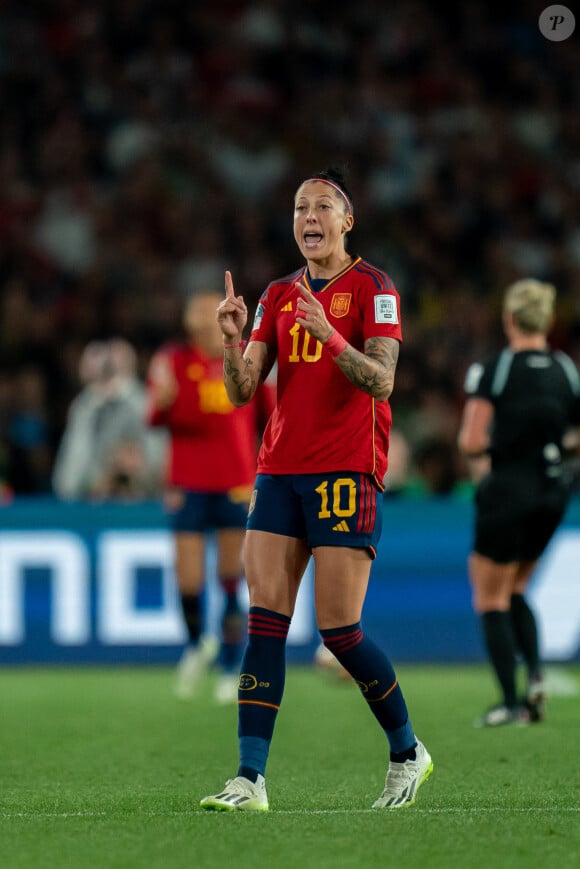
(374, 370)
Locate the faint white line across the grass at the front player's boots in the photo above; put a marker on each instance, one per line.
(449, 811)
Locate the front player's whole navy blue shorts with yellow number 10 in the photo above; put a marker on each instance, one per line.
(343, 508)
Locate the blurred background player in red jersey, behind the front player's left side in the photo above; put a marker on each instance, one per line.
(211, 466)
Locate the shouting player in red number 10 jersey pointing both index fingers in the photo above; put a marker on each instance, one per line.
(334, 328)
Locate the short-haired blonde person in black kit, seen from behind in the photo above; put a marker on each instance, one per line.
(520, 405)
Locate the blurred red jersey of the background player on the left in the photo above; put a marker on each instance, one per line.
(213, 444)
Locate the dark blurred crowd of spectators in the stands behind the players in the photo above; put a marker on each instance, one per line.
(147, 145)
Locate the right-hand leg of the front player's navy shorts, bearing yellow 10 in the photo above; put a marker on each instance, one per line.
(342, 509)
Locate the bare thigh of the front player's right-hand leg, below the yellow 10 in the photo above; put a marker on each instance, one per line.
(340, 585)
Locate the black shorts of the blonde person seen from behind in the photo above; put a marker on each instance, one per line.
(516, 516)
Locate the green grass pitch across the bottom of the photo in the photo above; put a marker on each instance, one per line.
(104, 768)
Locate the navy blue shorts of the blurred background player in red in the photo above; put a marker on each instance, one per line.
(201, 512)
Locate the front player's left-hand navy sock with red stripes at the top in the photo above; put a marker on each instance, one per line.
(261, 687)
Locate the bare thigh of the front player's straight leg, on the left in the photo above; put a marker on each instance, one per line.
(274, 566)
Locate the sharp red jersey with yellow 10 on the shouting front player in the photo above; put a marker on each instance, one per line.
(322, 422)
